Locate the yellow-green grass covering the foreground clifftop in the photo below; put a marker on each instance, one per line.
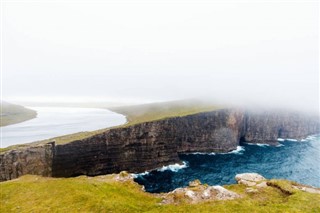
(105, 194)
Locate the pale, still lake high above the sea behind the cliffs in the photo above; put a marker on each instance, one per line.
(57, 121)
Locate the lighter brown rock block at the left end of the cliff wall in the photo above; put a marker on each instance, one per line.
(35, 160)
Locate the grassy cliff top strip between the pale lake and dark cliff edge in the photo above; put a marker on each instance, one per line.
(136, 114)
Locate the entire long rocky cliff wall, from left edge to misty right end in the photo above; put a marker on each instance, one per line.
(150, 145)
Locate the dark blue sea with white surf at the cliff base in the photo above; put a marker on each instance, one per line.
(297, 161)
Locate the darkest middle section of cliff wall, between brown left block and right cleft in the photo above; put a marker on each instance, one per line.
(149, 145)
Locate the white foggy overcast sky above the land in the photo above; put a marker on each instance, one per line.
(258, 51)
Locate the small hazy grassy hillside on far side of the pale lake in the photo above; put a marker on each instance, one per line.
(11, 114)
